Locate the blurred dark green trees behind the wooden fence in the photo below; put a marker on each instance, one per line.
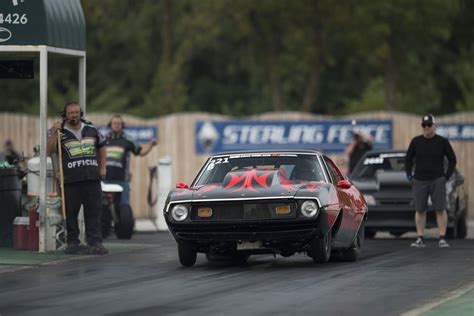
(243, 57)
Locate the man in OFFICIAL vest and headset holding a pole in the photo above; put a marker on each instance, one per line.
(83, 161)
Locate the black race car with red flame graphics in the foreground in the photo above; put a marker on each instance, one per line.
(272, 202)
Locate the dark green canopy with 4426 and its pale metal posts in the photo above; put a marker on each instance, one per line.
(38, 28)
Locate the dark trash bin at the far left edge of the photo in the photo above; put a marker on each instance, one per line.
(10, 203)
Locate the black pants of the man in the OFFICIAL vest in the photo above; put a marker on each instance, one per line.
(89, 194)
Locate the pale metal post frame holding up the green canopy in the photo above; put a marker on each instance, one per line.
(43, 52)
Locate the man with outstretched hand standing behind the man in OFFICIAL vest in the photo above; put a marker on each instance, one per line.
(118, 147)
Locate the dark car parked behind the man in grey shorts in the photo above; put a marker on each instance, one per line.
(381, 176)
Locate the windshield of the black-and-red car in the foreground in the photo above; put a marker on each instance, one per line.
(293, 167)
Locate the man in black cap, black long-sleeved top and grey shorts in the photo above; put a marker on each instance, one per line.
(426, 154)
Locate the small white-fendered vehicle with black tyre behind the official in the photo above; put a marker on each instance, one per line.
(115, 214)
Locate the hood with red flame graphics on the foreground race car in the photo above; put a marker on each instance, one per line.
(251, 184)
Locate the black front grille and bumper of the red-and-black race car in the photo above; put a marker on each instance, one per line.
(247, 220)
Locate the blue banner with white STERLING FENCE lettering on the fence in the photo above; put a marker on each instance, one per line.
(329, 136)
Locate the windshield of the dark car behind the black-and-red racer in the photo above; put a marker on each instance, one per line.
(384, 162)
